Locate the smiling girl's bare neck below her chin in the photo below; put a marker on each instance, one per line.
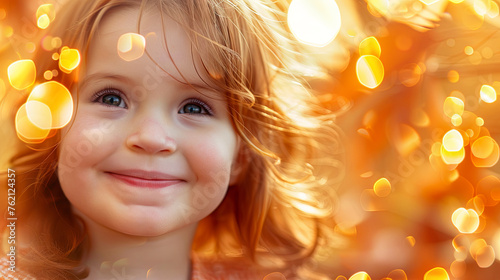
(116, 255)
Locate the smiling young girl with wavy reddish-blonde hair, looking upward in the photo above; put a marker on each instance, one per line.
(204, 158)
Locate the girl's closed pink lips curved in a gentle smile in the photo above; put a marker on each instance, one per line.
(145, 179)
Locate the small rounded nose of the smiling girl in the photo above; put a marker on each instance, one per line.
(151, 137)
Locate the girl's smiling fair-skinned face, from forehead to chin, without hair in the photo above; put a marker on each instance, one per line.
(146, 154)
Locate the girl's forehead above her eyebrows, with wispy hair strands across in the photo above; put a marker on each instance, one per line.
(168, 51)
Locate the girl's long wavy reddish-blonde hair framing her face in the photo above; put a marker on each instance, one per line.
(279, 214)
